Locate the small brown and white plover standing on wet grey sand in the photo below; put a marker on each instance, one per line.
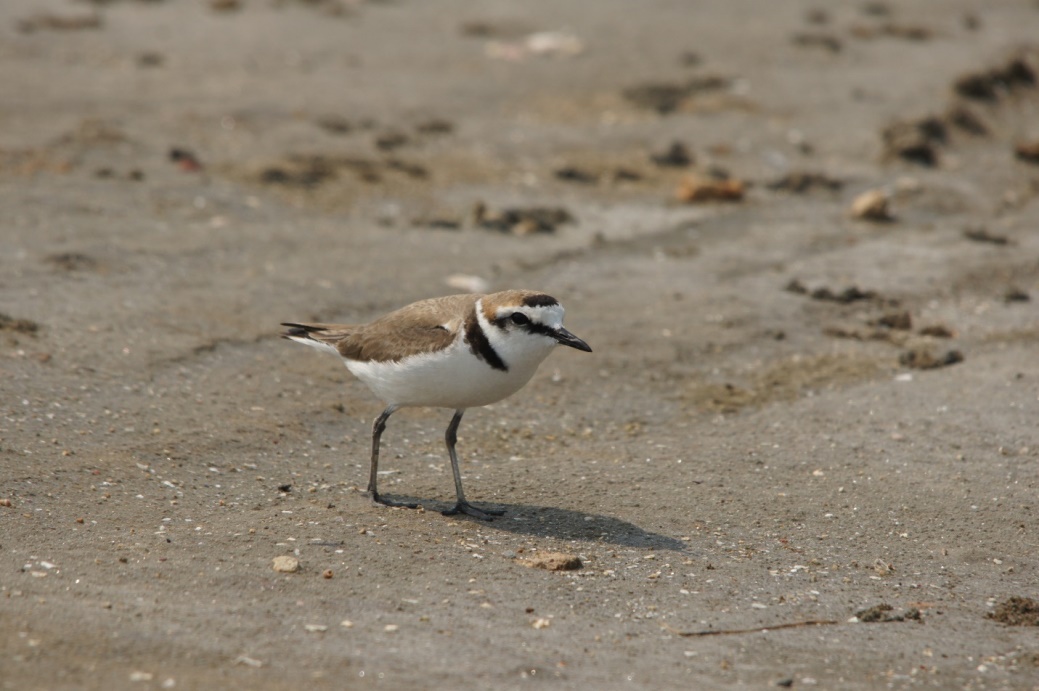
(457, 353)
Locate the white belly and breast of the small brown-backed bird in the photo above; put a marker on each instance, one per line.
(452, 379)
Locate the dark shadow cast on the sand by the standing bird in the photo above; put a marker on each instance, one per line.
(565, 525)
